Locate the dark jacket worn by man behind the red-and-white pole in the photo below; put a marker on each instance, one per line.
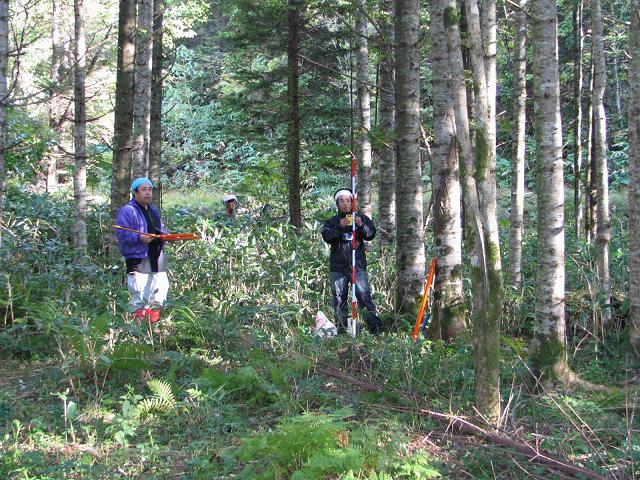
(340, 241)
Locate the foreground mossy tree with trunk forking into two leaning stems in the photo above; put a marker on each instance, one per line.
(478, 179)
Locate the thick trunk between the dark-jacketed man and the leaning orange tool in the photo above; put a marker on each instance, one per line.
(410, 258)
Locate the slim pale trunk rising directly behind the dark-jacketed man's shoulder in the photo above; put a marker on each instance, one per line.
(364, 110)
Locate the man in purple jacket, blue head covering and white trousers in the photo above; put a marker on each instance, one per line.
(144, 255)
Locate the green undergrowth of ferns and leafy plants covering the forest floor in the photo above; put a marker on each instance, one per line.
(235, 386)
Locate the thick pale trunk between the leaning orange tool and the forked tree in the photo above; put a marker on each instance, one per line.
(448, 312)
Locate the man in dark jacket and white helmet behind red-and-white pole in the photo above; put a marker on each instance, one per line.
(337, 232)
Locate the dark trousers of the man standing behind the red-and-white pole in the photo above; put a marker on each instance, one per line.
(342, 299)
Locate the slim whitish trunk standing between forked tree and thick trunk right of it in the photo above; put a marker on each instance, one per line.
(519, 123)
